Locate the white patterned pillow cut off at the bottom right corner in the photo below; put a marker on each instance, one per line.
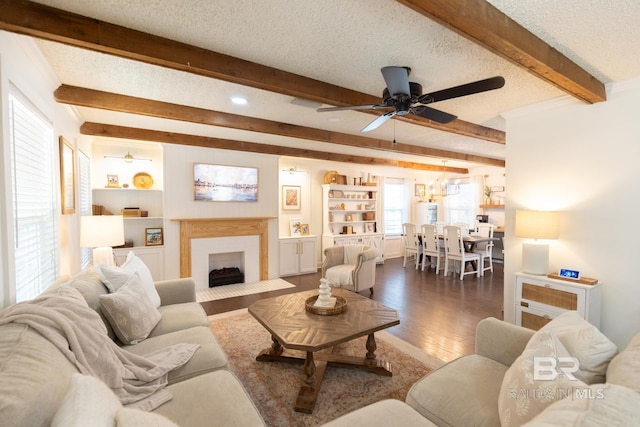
(594, 406)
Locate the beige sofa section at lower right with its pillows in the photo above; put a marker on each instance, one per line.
(501, 385)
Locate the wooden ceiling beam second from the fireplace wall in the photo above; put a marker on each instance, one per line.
(78, 96)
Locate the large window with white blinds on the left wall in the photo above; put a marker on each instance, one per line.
(34, 207)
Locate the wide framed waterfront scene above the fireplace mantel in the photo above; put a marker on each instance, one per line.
(221, 183)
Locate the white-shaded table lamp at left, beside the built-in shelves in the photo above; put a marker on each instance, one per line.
(101, 232)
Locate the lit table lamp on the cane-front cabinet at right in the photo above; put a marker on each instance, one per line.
(539, 226)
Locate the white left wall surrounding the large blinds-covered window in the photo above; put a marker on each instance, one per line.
(23, 67)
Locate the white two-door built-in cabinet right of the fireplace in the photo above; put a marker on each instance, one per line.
(298, 255)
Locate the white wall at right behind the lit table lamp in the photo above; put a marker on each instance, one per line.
(582, 160)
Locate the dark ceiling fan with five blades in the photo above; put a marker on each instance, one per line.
(404, 97)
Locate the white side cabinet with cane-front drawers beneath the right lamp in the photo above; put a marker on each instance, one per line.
(539, 299)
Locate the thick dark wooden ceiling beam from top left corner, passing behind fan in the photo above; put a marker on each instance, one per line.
(48, 23)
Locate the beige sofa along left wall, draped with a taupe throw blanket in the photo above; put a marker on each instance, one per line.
(40, 386)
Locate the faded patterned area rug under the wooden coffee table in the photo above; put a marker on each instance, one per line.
(274, 386)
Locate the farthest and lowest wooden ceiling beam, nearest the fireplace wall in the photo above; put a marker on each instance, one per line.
(122, 132)
